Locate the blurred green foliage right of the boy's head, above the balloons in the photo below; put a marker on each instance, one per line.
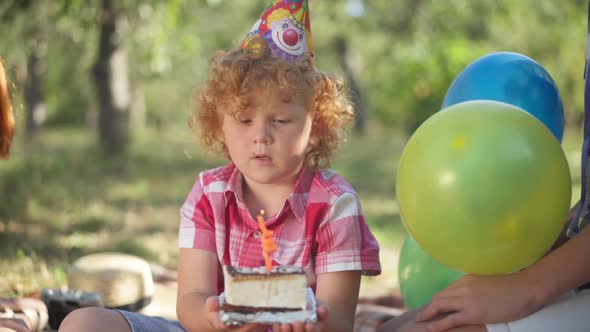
(412, 50)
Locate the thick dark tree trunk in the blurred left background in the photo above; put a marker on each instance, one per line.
(112, 80)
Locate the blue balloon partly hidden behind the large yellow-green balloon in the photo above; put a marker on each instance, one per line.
(514, 79)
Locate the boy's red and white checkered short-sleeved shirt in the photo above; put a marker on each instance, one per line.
(320, 227)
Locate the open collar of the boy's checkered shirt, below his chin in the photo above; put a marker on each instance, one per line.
(297, 198)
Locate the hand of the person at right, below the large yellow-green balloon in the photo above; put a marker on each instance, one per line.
(480, 300)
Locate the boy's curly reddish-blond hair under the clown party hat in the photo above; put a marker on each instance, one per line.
(235, 74)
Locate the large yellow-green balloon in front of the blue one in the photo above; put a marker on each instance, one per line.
(483, 187)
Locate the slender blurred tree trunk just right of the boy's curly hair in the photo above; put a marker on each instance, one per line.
(351, 74)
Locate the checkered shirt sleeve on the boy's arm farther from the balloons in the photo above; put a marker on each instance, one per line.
(197, 228)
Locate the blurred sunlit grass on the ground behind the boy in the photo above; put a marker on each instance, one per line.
(60, 198)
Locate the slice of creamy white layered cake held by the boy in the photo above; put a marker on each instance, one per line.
(258, 295)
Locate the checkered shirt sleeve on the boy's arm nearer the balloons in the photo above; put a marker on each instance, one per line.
(345, 242)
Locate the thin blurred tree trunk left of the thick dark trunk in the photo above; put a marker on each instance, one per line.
(36, 112)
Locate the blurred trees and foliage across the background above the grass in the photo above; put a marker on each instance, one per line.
(118, 65)
